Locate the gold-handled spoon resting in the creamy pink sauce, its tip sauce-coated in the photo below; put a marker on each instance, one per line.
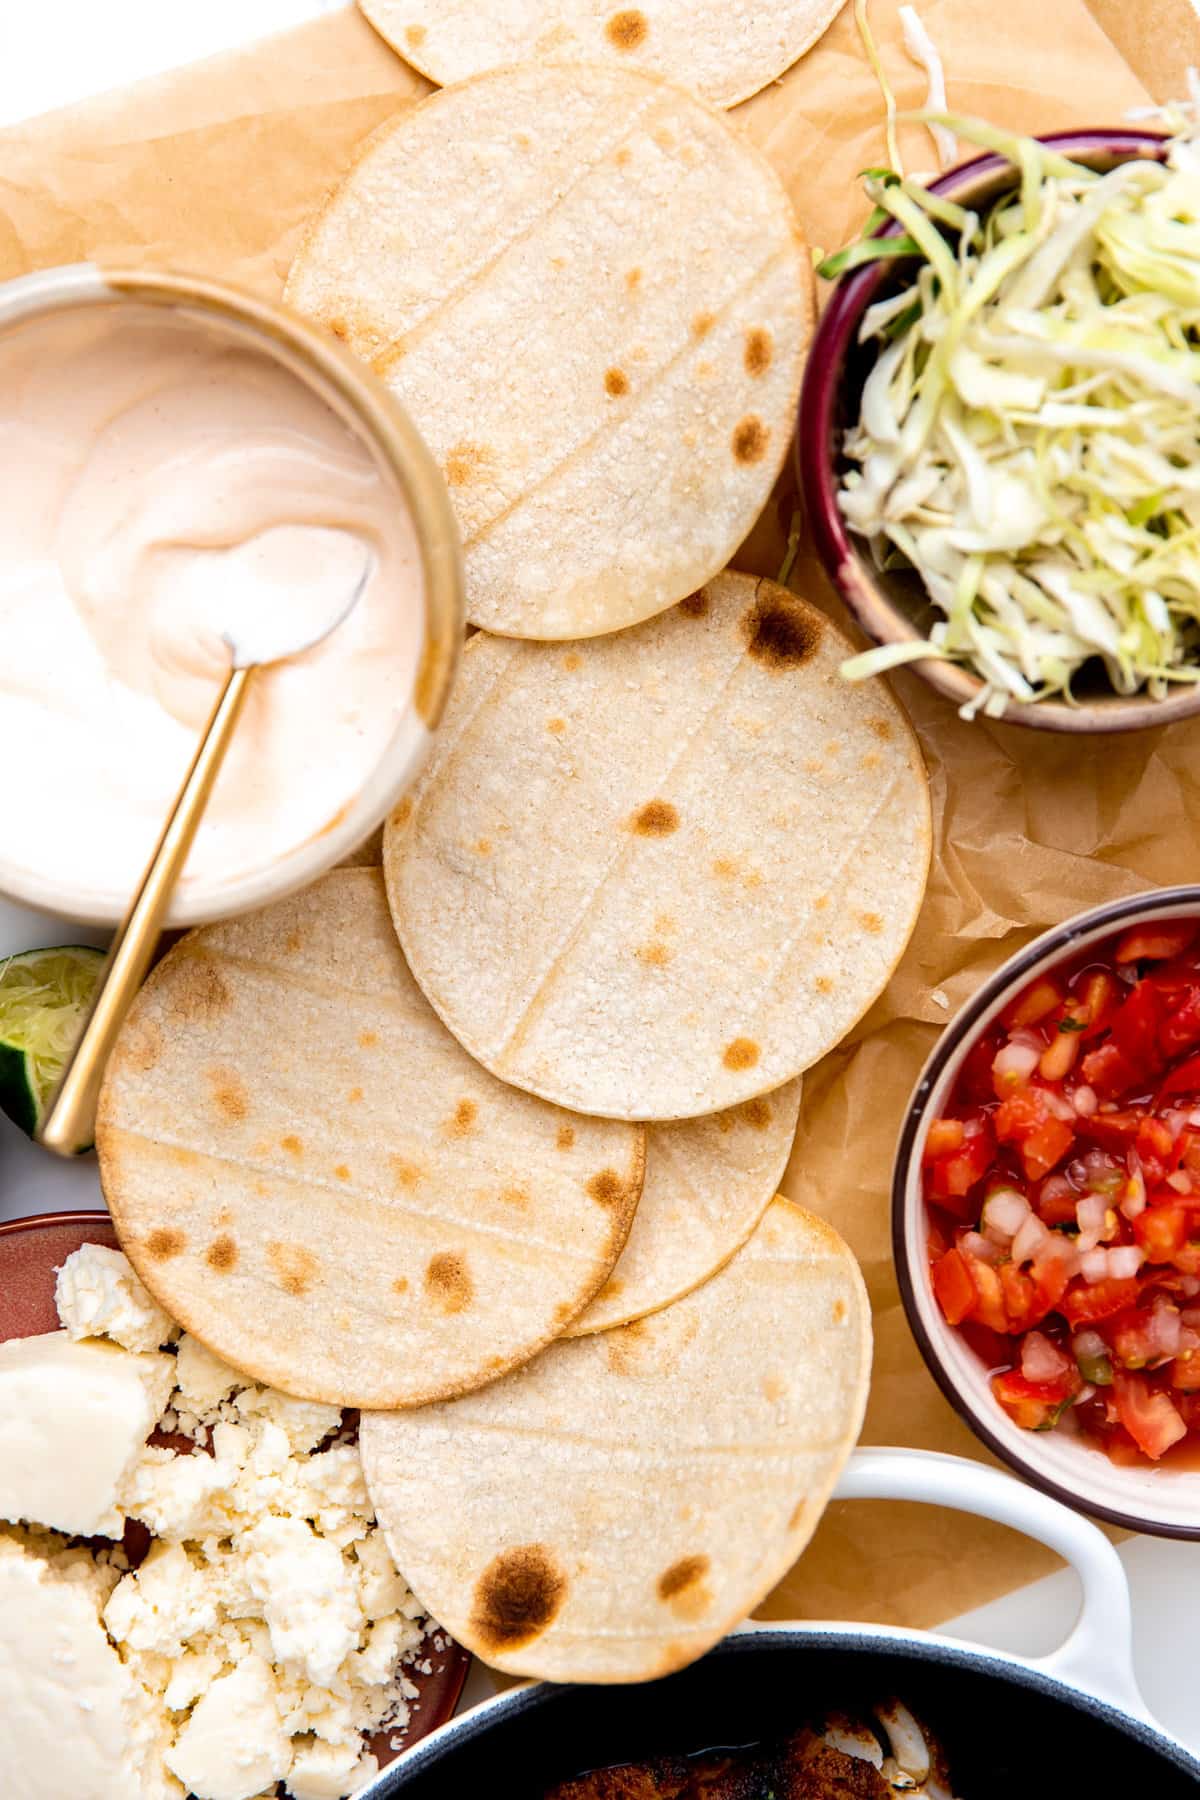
(69, 1122)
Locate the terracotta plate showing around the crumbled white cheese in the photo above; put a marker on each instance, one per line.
(31, 1252)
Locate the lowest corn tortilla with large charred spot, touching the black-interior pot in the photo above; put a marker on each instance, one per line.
(618, 1506)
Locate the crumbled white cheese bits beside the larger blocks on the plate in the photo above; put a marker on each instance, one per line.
(267, 1626)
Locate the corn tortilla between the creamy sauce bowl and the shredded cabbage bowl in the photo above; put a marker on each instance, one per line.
(591, 294)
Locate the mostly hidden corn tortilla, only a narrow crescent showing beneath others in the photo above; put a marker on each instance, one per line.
(708, 1185)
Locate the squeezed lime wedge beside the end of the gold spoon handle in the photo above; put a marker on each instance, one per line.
(44, 1000)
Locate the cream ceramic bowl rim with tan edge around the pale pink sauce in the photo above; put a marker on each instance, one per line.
(357, 397)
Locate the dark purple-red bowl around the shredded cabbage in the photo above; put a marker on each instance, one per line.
(893, 607)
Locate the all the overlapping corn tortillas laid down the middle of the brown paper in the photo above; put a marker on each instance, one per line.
(487, 1142)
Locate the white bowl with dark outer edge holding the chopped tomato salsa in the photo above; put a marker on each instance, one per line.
(1165, 1502)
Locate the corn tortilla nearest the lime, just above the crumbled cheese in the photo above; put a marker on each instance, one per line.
(319, 1183)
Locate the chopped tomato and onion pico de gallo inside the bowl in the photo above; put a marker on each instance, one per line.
(1064, 1196)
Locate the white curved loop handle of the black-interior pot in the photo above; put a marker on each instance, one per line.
(1098, 1655)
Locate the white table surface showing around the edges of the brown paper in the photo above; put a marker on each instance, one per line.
(57, 55)
